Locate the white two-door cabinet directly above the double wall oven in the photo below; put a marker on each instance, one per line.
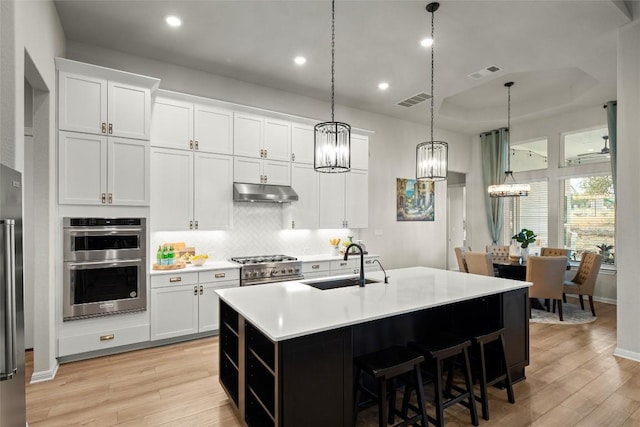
(100, 170)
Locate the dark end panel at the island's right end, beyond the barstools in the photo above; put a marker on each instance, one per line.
(515, 317)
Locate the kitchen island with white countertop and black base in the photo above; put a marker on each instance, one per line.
(286, 349)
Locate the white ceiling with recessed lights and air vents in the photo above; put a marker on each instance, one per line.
(561, 54)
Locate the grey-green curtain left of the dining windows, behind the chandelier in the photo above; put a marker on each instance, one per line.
(494, 163)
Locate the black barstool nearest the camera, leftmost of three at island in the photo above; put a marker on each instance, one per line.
(385, 366)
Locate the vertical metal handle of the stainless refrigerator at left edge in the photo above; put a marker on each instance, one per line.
(10, 357)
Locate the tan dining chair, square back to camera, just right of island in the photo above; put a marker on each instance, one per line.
(547, 275)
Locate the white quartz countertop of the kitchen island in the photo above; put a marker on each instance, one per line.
(292, 309)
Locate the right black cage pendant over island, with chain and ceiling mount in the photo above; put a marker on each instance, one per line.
(432, 156)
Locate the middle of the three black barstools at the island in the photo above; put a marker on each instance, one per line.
(437, 351)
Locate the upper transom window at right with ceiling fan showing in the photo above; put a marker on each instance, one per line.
(586, 147)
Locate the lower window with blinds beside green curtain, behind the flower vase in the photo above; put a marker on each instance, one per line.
(531, 212)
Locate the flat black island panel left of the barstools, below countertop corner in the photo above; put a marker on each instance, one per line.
(316, 380)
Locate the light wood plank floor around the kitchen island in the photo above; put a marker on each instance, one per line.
(573, 379)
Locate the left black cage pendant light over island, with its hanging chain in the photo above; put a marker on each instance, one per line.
(332, 140)
